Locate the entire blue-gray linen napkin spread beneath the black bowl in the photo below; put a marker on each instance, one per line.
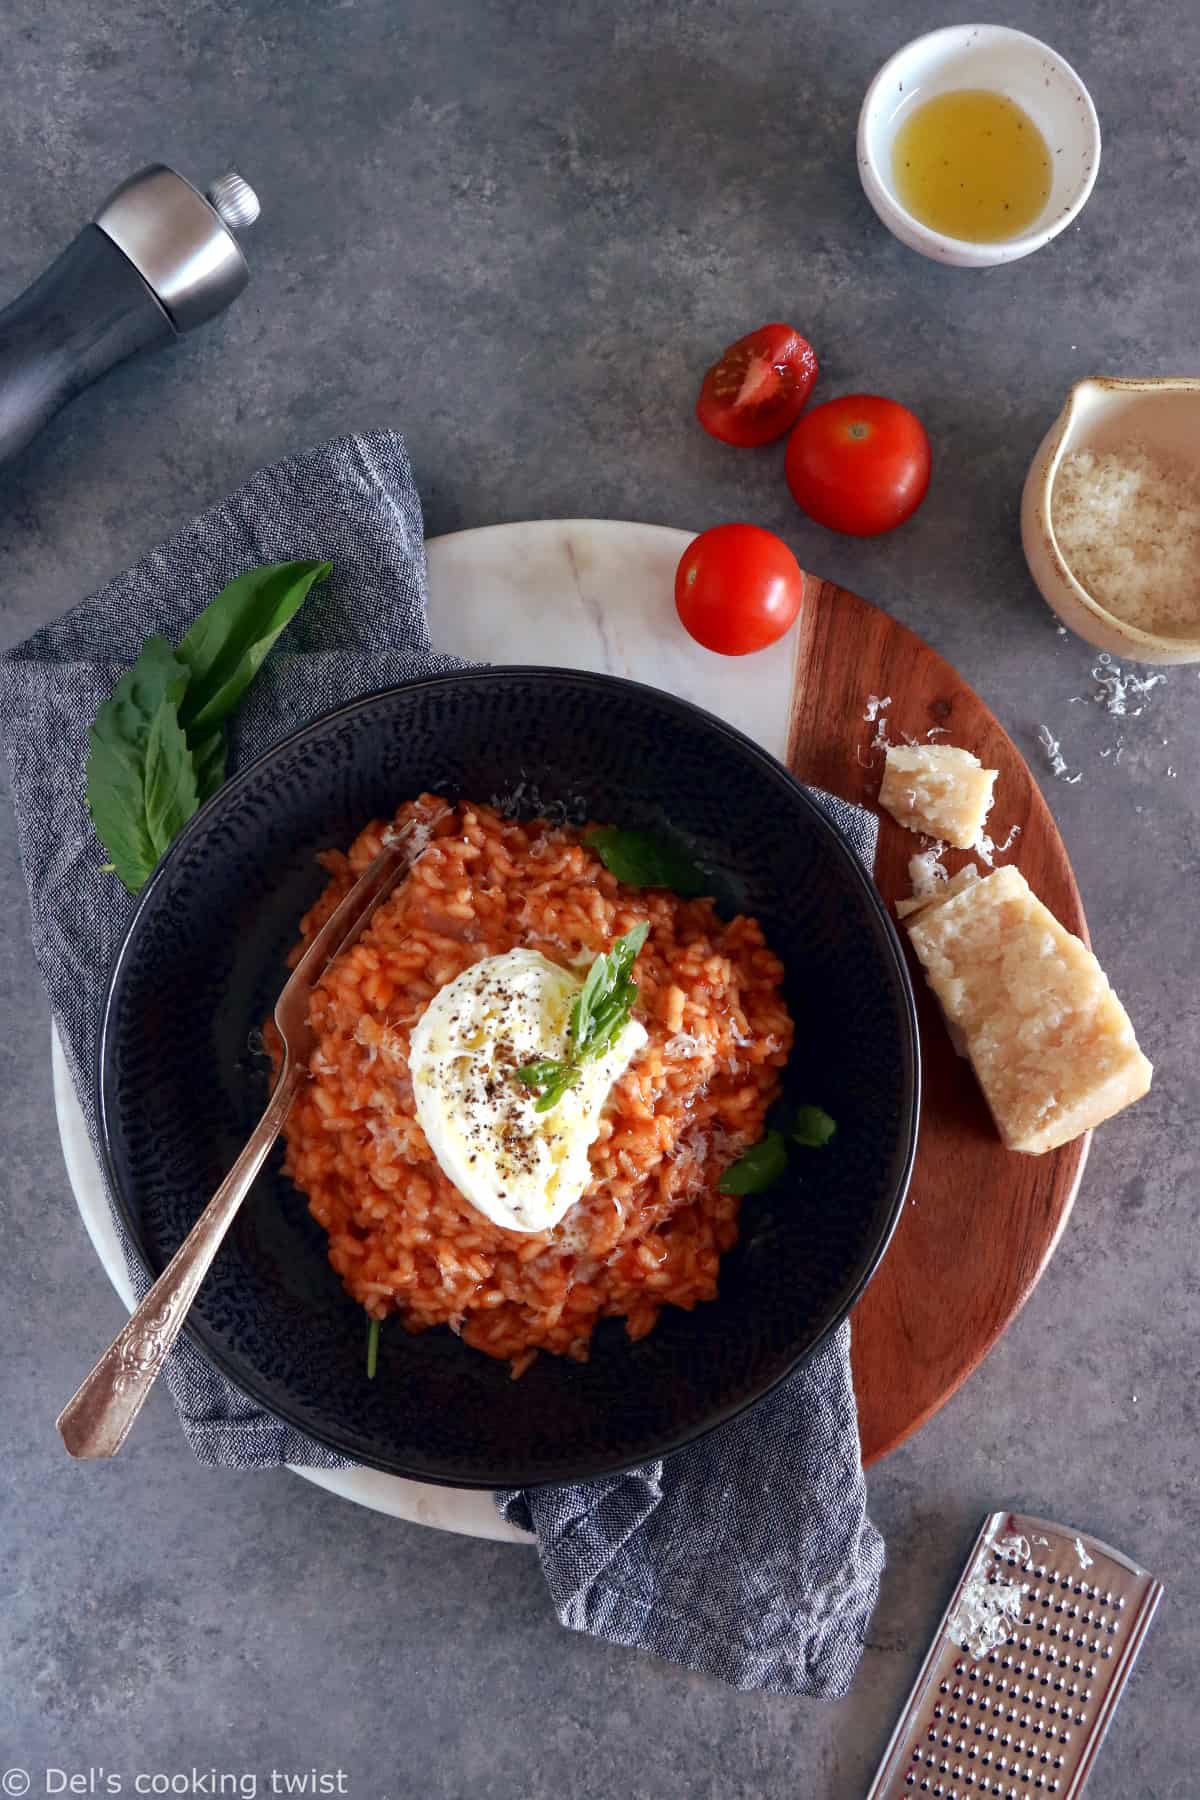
(748, 1556)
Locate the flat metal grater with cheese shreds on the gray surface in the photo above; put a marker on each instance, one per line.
(1026, 1669)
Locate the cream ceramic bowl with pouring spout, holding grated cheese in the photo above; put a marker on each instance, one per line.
(1160, 413)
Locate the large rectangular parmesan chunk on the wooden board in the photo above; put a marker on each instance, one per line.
(1050, 1041)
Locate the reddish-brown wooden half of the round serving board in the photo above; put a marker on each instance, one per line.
(981, 1223)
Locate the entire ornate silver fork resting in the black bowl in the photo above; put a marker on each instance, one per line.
(98, 1417)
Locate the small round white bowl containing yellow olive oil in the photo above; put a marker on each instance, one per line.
(1007, 62)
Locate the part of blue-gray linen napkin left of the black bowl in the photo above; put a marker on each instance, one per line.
(354, 503)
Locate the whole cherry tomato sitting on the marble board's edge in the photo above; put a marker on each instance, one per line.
(739, 589)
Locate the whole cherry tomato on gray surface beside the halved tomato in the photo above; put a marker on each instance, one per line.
(859, 465)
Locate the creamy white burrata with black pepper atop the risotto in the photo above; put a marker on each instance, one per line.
(523, 1169)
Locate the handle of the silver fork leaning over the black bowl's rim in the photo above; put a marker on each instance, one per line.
(98, 1417)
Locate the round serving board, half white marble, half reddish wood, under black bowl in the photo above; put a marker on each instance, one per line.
(598, 595)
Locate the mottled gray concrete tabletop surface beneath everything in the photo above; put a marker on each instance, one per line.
(521, 233)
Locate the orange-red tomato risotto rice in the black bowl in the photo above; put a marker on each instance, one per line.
(652, 1227)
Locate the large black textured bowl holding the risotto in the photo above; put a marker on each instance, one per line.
(204, 960)
